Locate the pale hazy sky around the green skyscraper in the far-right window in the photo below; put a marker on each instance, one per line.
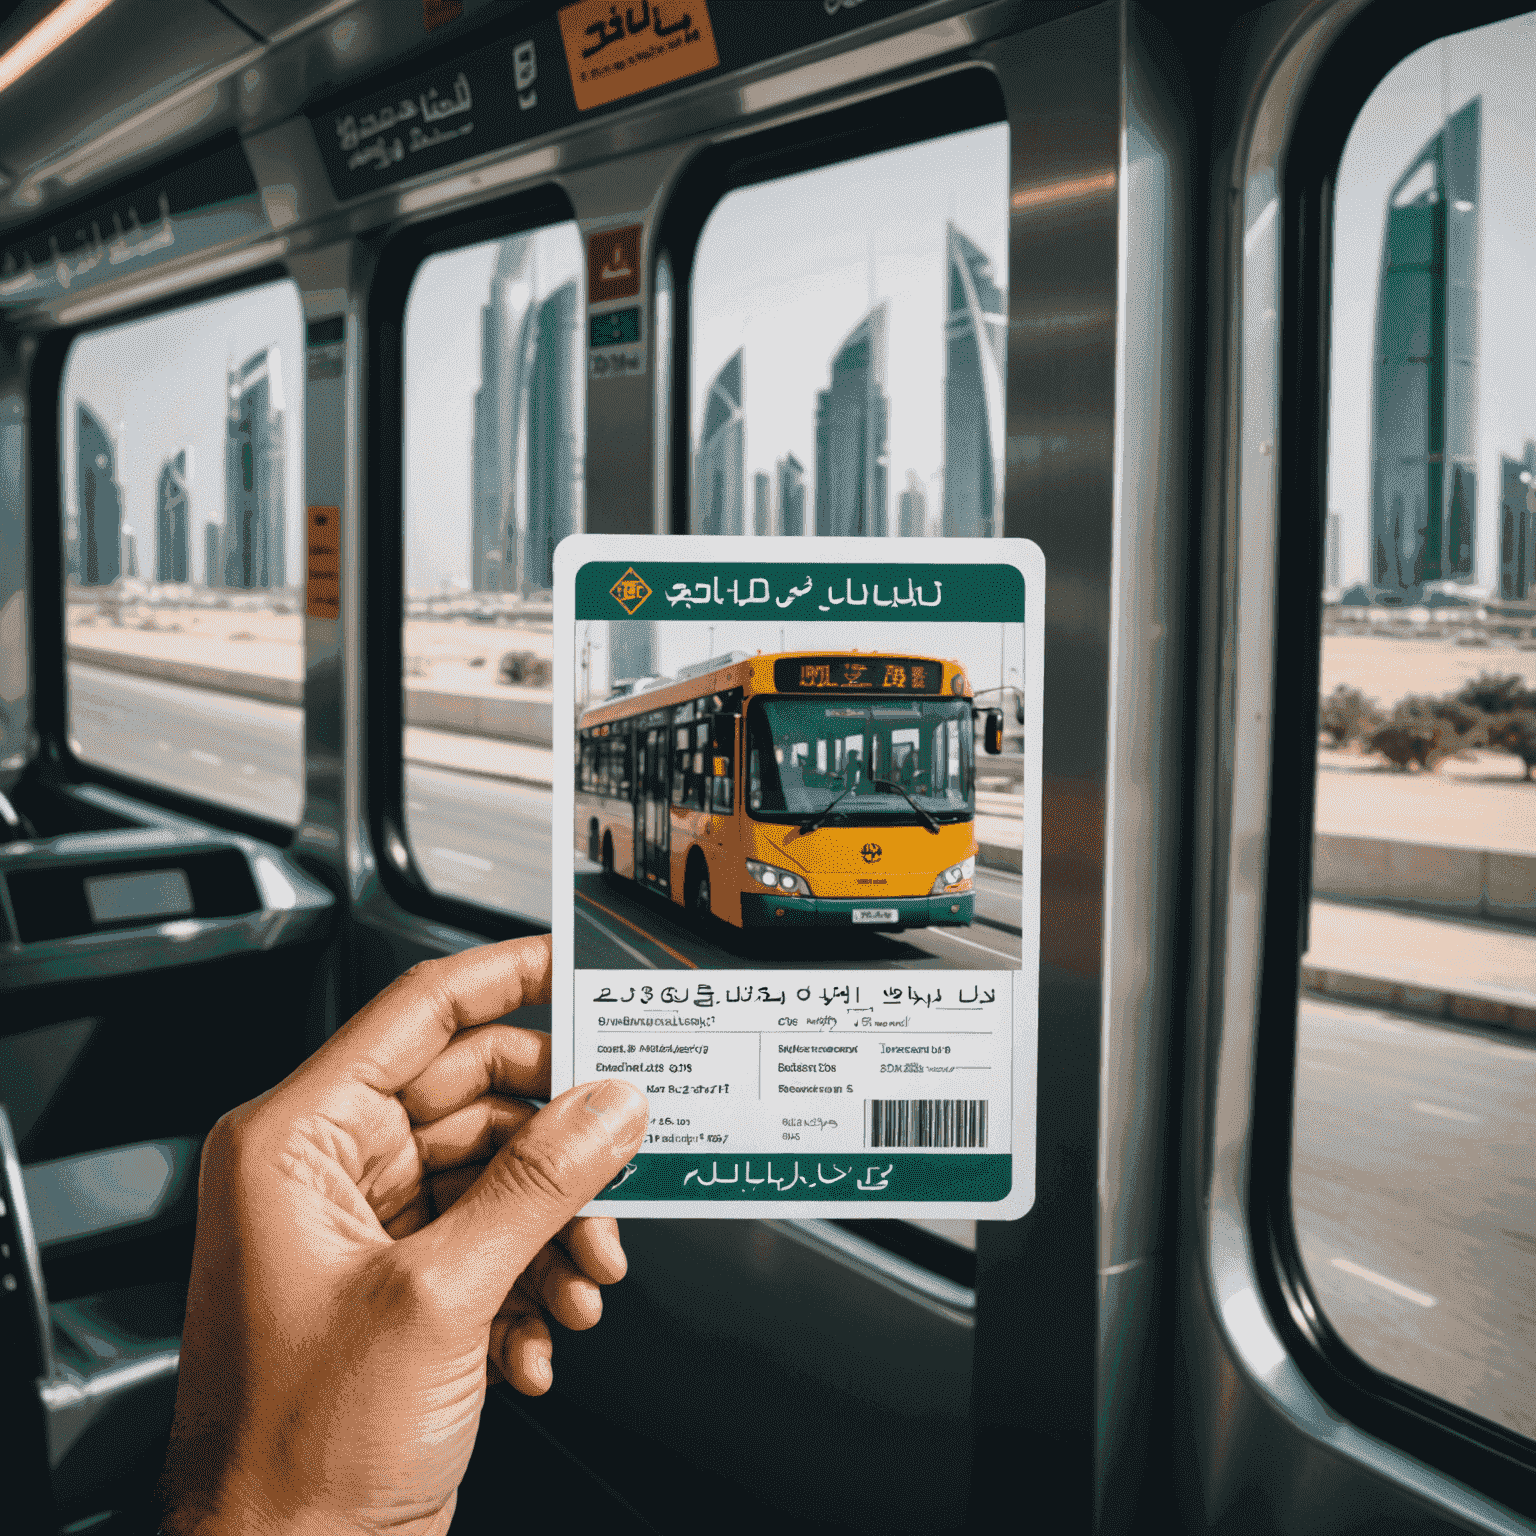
(1402, 116)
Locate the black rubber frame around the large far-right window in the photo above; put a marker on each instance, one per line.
(1483, 1454)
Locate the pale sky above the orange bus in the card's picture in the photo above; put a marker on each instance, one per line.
(988, 652)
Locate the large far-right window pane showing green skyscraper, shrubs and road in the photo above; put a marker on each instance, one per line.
(1417, 1051)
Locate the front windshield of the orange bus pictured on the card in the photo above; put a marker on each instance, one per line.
(806, 753)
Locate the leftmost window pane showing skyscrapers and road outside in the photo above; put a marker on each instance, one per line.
(182, 472)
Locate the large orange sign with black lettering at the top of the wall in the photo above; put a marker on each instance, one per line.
(621, 51)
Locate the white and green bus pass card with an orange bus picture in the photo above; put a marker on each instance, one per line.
(798, 869)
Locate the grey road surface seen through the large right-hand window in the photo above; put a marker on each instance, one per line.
(1415, 1200)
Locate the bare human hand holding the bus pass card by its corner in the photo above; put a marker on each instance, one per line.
(374, 1236)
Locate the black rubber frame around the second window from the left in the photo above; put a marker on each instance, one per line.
(400, 259)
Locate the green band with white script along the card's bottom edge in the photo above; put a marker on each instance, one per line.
(862, 1176)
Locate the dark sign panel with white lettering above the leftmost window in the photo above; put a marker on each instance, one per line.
(207, 204)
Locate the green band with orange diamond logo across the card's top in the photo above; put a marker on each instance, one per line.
(879, 592)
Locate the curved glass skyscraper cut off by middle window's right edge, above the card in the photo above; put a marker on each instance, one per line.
(976, 342)
